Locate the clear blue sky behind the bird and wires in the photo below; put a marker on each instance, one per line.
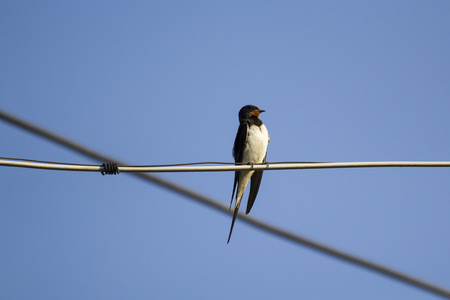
(162, 82)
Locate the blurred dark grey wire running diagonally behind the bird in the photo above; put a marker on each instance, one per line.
(224, 208)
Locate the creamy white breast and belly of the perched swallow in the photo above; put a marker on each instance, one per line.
(256, 144)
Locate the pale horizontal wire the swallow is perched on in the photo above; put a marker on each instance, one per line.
(188, 167)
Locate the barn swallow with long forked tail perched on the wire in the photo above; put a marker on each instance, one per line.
(250, 147)
